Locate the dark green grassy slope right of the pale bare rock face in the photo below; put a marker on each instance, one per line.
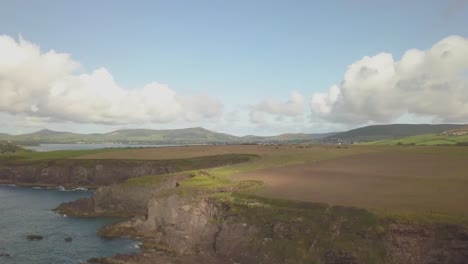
(305, 224)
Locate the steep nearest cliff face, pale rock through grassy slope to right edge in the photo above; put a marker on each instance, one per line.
(194, 225)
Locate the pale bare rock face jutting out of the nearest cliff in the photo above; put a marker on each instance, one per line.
(188, 225)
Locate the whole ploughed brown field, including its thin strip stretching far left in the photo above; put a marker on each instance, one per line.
(429, 179)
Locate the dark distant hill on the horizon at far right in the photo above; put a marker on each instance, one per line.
(385, 132)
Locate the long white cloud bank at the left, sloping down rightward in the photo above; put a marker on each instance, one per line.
(50, 85)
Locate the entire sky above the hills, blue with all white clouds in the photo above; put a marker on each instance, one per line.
(239, 67)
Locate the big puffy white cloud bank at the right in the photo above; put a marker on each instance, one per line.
(427, 83)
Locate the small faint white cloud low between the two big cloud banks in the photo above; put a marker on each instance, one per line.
(293, 108)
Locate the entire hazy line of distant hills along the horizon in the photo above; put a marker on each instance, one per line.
(200, 135)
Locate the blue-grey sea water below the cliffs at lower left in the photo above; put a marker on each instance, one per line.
(25, 211)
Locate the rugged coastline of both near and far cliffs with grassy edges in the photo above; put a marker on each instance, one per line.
(188, 214)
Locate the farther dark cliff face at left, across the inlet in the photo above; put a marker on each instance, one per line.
(96, 173)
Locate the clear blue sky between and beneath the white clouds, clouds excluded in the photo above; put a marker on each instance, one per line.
(238, 52)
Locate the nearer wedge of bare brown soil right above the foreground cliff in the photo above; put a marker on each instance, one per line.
(402, 181)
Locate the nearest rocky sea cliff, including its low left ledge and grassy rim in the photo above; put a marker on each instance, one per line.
(185, 226)
